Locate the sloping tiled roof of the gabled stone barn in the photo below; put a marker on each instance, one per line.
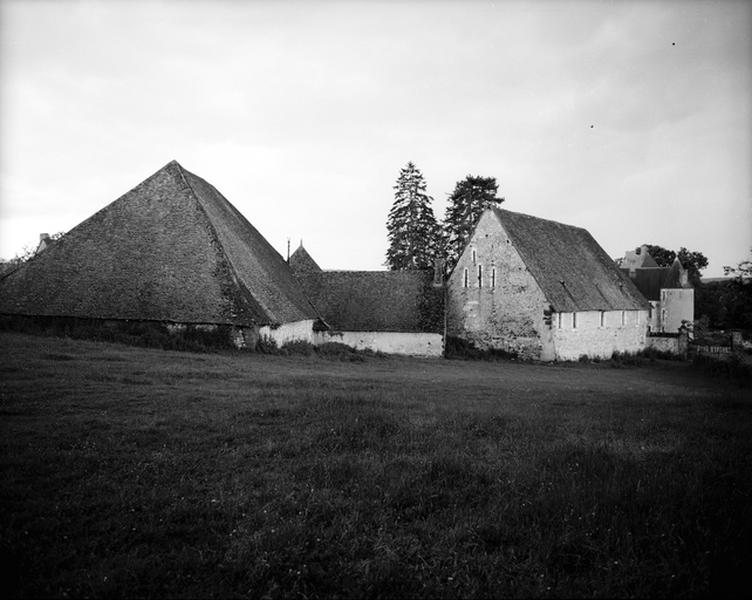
(573, 271)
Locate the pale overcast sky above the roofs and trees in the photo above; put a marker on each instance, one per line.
(633, 120)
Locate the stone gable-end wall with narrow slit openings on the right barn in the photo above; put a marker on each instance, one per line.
(506, 310)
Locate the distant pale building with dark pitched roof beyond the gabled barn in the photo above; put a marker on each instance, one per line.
(668, 290)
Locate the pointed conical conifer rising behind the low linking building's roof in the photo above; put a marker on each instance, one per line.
(414, 235)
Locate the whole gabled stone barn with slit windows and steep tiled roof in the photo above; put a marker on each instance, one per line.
(542, 290)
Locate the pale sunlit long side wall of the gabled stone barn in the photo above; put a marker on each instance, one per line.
(598, 334)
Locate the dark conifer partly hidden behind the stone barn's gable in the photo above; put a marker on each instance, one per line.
(470, 198)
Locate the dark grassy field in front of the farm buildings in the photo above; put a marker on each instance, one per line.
(130, 472)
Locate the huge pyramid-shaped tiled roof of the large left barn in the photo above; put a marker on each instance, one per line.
(171, 249)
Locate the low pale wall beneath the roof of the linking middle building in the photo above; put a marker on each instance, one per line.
(391, 342)
